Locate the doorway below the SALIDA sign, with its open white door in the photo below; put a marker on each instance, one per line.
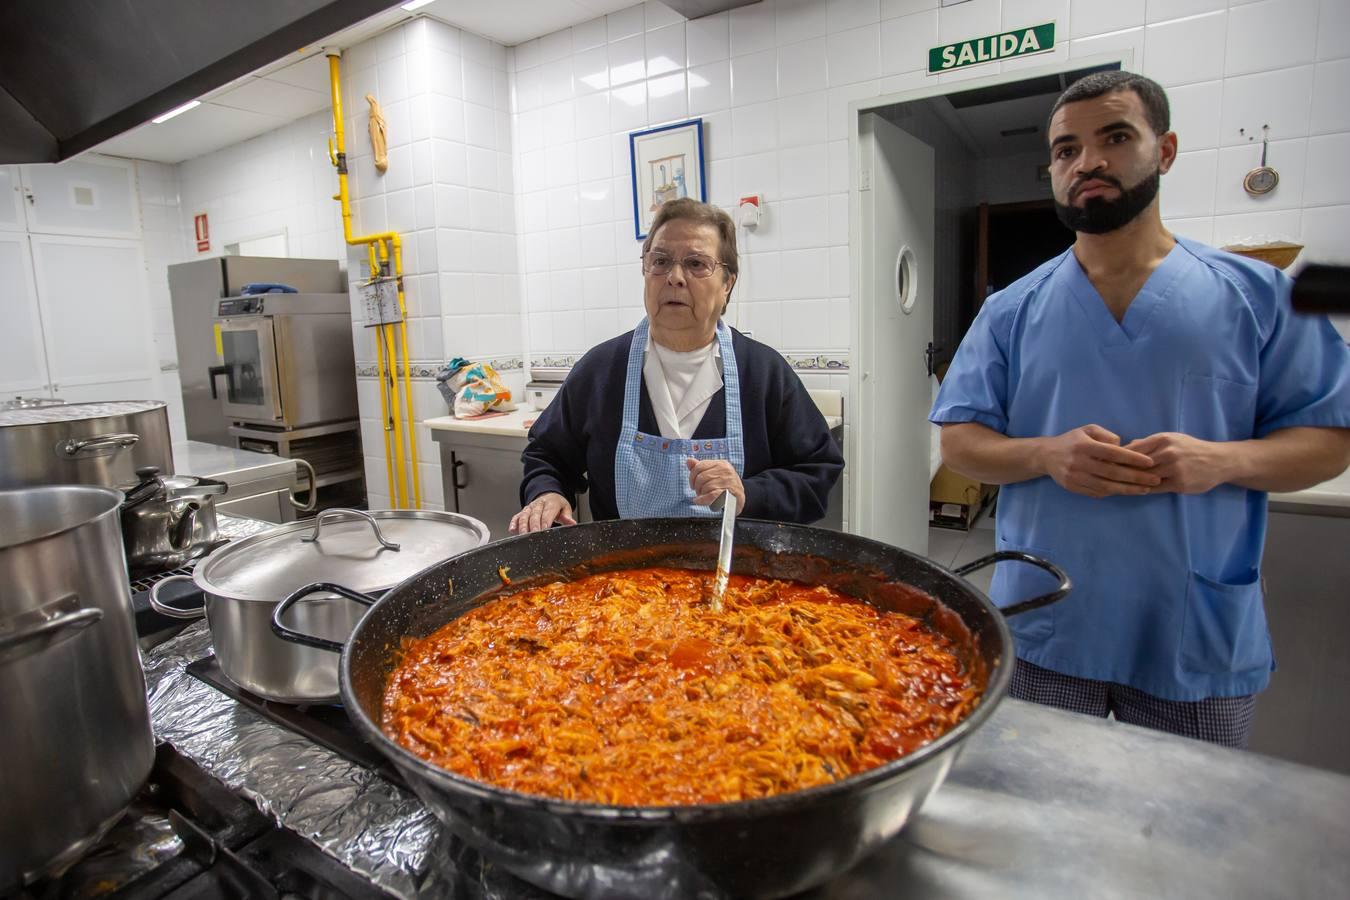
(951, 202)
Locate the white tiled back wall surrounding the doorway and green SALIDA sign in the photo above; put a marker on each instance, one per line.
(773, 84)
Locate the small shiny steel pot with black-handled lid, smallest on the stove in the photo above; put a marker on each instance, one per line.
(167, 523)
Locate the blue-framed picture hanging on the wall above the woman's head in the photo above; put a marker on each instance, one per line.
(668, 164)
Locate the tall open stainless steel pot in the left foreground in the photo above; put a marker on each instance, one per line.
(75, 727)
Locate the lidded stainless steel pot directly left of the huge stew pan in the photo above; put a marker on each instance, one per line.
(244, 584)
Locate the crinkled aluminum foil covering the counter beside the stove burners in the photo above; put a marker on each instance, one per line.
(372, 826)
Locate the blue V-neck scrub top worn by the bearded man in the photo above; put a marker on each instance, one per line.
(1167, 588)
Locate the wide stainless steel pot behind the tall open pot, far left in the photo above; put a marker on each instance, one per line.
(84, 443)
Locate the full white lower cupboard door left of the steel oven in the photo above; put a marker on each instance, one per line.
(97, 318)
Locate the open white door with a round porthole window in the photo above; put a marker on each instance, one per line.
(890, 484)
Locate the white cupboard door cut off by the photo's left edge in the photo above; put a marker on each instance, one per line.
(24, 362)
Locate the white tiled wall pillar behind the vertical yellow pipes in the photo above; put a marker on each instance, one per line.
(449, 192)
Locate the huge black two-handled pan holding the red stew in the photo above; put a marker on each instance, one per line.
(767, 848)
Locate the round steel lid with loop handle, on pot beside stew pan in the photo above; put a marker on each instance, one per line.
(348, 551)
